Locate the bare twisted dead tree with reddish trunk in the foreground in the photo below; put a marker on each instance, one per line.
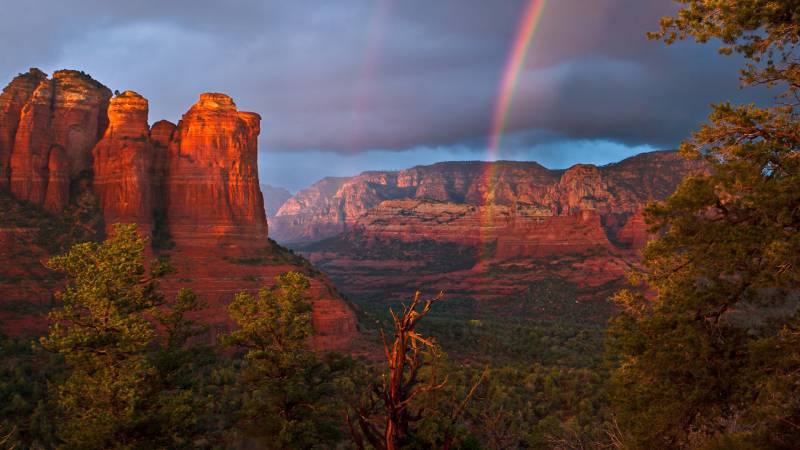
(384, 419)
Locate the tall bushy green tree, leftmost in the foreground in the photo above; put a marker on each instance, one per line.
(114, 394)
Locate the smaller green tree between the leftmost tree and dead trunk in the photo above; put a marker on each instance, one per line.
(288, 395)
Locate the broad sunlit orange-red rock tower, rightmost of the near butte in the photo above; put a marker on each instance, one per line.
(212, 190)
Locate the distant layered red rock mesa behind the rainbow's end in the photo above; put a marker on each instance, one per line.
(479, 230)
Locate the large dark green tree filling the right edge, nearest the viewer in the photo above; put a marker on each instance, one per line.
(698, 352)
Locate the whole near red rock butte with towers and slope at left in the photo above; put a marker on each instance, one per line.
(72, 157)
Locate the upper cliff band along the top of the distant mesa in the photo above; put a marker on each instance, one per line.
(616, 192)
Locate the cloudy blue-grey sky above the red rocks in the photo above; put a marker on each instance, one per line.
(351, 85)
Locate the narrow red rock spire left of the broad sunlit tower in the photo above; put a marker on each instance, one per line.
(123, 164)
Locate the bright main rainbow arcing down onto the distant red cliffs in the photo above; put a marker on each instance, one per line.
(526, 31)
